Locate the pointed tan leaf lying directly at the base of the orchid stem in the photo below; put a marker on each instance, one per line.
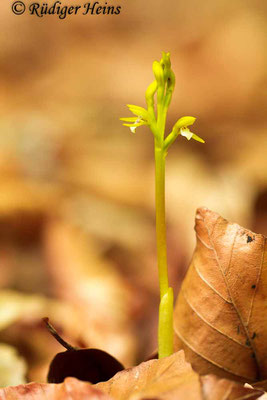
(163, 379)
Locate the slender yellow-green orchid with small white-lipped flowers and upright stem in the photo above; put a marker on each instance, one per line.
(155, 117)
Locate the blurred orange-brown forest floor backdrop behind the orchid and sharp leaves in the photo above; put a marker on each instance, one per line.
(77, 228)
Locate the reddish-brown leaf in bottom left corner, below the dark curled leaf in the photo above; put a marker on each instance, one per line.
(71, 388)
